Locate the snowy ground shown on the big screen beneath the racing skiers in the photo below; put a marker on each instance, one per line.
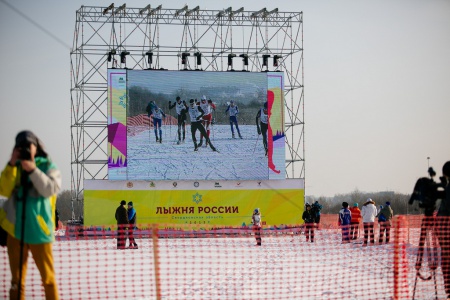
(236, 159)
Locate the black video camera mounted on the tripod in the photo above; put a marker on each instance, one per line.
(426, 192)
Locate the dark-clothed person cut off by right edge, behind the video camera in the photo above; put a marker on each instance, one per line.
(443, 226)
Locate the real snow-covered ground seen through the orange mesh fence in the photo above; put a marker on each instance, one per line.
(227, 267)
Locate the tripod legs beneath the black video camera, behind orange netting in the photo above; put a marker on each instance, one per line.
(427, 253)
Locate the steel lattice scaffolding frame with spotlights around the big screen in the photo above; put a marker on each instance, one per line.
(177, 39)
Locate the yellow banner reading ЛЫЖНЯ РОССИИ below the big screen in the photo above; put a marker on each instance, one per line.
(208, 207)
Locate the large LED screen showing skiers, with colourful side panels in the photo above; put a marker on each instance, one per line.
(225, 126)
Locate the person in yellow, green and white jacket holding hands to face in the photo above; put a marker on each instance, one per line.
(31, 182)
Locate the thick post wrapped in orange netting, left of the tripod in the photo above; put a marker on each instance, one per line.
(401, 290)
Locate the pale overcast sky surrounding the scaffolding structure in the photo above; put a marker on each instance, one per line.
(377, 85)
